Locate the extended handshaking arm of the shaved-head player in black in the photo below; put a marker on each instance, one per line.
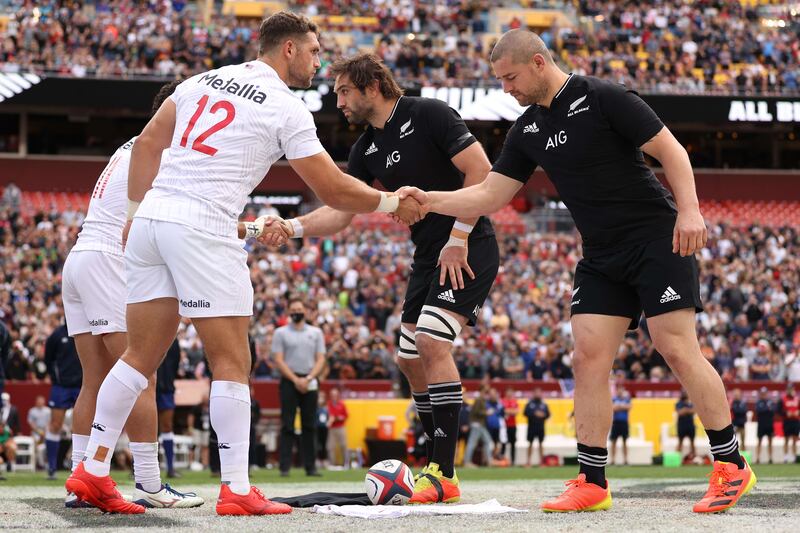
(494, 192)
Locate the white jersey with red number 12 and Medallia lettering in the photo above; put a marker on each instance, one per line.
(231, 125)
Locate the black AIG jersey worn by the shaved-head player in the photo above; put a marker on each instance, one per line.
(588, 144)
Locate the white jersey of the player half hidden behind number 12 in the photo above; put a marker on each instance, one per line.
(107, 214)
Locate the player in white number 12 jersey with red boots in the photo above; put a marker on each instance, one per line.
(224, 129)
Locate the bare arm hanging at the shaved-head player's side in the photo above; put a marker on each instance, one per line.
(690, 234)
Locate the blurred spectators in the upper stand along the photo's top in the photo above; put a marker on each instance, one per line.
(707, 45)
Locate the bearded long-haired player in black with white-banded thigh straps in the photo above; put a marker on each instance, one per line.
(421, 142)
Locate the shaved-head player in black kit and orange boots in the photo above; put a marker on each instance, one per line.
(639, 242)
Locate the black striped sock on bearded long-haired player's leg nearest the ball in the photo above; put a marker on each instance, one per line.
(446, 400)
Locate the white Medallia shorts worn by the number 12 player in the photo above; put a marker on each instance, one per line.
(206, 273)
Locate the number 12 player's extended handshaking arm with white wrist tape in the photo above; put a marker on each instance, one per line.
(346, 193)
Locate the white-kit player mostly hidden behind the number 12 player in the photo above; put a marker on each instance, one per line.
(93, 292)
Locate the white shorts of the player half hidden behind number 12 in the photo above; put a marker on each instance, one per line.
(93, 292)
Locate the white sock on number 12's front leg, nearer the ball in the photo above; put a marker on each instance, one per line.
(229, 411)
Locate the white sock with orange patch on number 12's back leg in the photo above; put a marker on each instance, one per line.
(116, 397)
